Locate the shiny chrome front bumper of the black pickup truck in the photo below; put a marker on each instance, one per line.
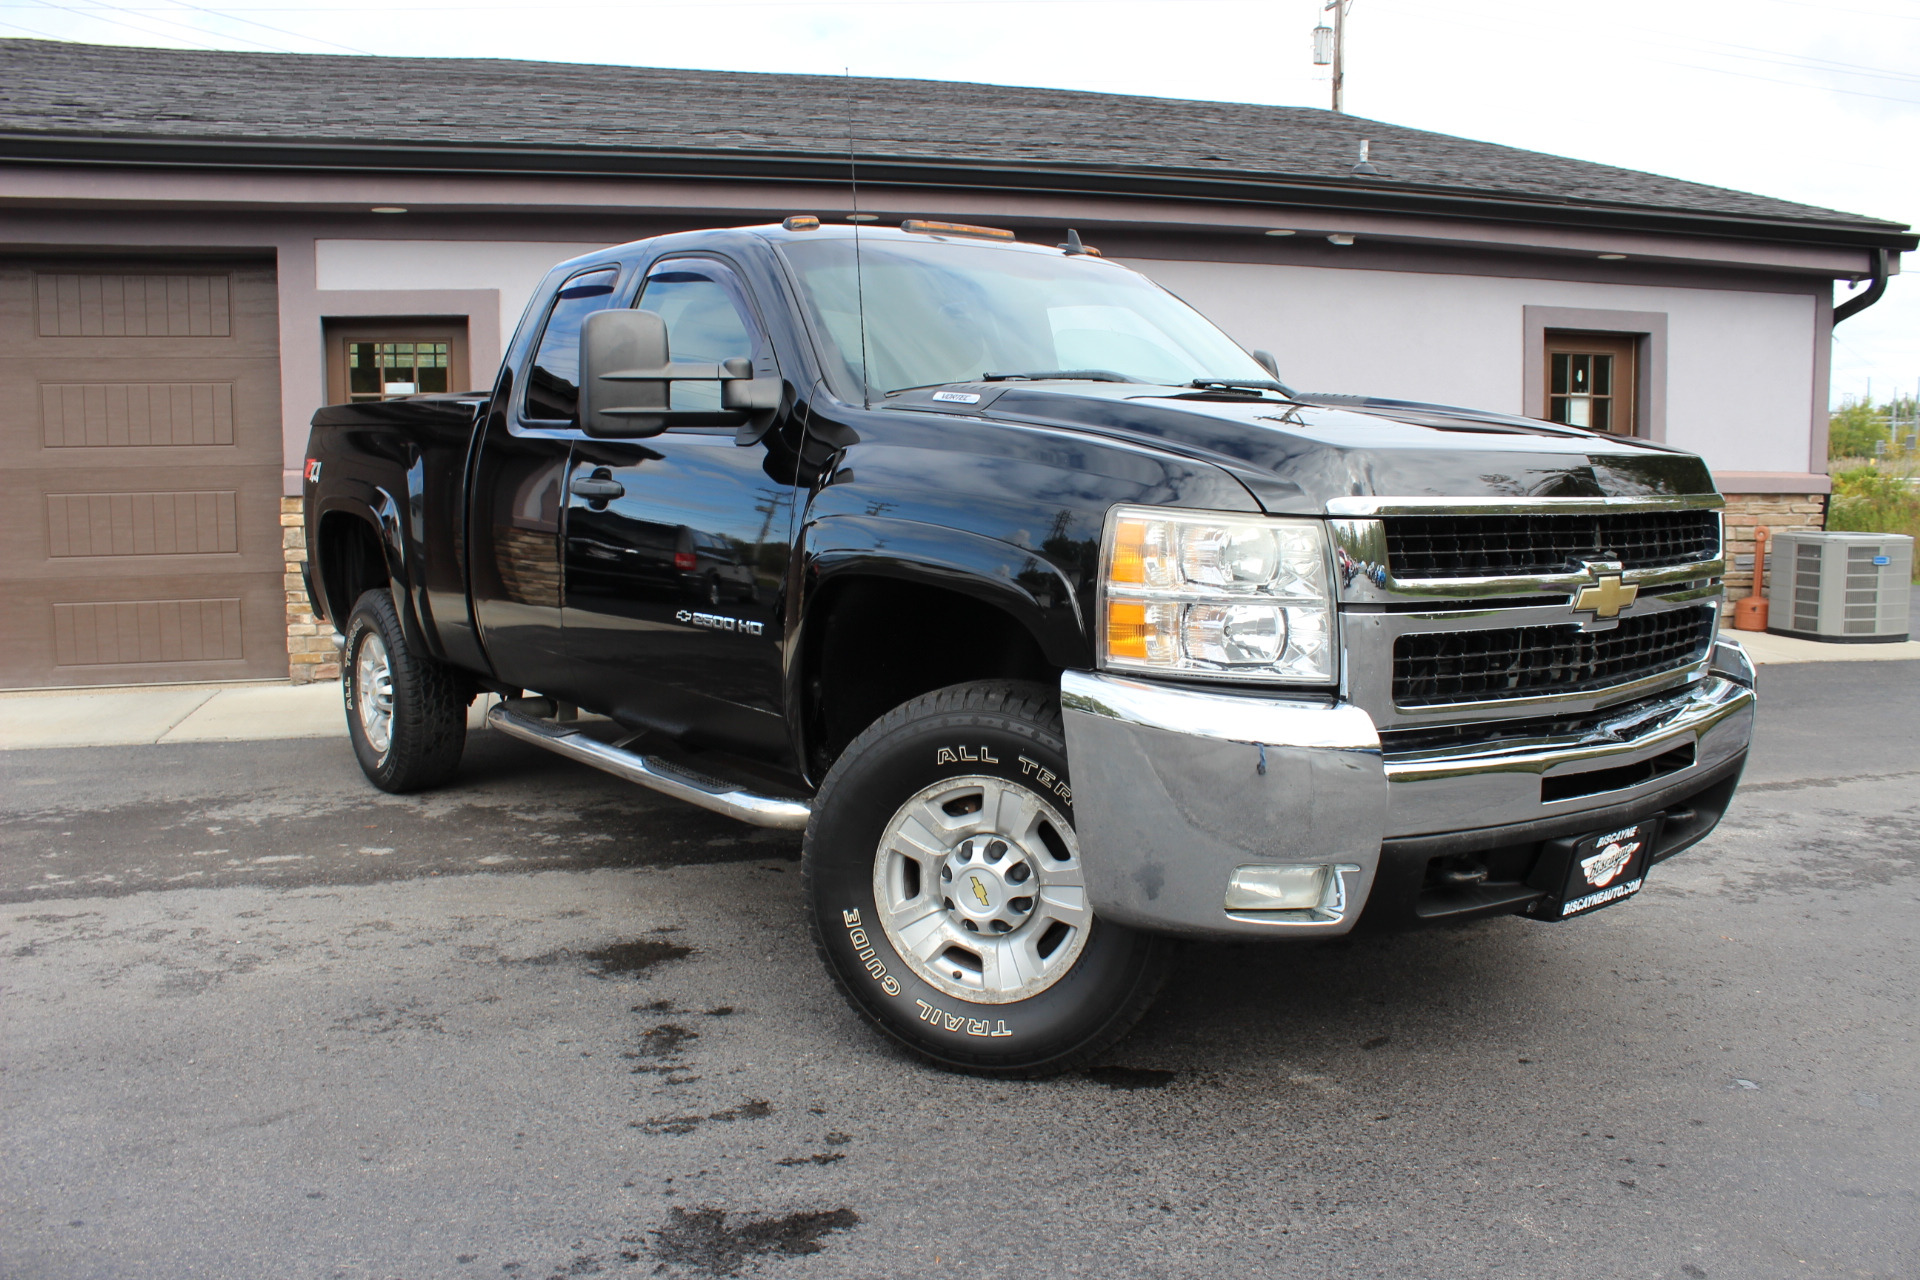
(1174, 788)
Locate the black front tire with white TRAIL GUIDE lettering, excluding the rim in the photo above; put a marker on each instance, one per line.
(984, 730)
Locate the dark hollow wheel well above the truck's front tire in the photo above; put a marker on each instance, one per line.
(875, 642)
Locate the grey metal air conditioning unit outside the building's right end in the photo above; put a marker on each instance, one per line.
(1840, 588)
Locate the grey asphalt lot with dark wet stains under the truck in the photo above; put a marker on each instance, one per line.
(258, 1020)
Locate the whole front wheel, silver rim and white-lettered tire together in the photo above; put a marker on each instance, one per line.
(948, 895)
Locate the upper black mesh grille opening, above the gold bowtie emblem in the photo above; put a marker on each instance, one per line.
(1531, 546)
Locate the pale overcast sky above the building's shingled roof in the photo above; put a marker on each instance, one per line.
(1796, 99)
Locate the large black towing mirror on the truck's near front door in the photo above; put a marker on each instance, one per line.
(627, 373)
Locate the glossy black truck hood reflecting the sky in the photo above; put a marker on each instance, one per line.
(1301, 454)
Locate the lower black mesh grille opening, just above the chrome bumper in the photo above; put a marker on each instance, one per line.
(1435, 669)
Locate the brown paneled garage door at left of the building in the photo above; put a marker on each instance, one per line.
(139, 473)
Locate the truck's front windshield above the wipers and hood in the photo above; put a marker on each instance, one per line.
(942, 312)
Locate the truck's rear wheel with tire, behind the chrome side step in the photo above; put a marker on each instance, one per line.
(406, 711)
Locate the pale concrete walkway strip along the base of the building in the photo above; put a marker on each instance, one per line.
(264, 711)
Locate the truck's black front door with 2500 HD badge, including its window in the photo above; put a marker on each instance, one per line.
(675, 575)
